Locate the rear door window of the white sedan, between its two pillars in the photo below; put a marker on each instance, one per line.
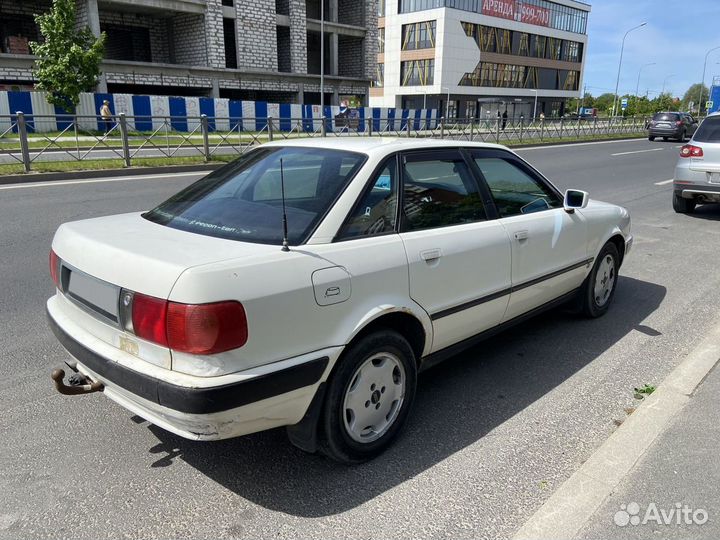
(439, 192)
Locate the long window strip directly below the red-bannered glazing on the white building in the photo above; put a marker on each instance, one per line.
(500, 40)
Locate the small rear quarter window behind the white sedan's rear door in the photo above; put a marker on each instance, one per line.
(375, 213)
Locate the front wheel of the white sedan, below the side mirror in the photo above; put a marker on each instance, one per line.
(598, 289)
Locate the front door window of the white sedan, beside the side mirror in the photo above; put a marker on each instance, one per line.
(514, 191)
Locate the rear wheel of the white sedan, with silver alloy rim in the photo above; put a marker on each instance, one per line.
(374, 384)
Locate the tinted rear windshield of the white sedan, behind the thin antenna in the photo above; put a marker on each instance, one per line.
(243, 200)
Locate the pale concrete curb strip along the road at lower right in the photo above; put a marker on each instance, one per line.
(568, 509)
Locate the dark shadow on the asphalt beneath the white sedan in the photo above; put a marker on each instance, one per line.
(457, 403)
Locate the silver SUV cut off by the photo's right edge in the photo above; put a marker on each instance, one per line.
(697, 173)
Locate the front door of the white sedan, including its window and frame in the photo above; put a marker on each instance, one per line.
(549, 245)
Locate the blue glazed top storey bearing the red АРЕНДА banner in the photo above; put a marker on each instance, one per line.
(535, 12)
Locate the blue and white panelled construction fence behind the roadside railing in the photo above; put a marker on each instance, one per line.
(150, 113)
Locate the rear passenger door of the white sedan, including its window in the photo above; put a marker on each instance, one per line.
(458, 259)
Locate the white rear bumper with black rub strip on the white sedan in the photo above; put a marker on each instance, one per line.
(263, 400)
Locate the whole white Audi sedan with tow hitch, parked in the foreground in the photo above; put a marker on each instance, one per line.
(307, 283)
